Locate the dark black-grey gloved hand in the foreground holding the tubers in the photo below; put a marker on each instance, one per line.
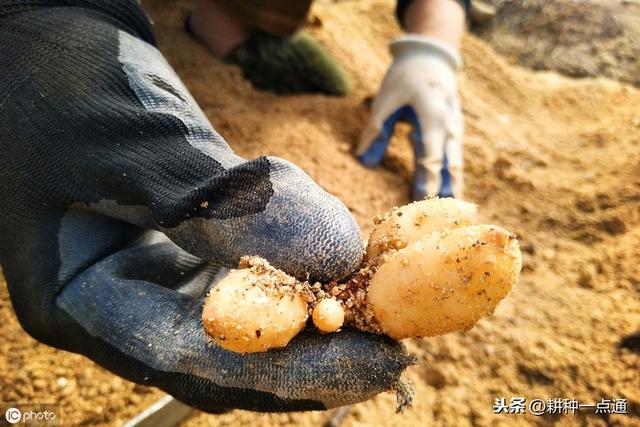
(100, 143)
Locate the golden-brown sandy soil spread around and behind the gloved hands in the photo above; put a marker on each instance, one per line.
(553, 159)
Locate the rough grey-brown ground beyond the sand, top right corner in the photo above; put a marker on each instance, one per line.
(576, 37)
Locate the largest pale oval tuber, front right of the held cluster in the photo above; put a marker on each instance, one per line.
(444, 282)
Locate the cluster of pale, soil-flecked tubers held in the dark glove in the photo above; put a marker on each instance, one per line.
(428, 270)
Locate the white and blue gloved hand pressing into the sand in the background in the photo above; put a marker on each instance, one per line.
(420, 87)
